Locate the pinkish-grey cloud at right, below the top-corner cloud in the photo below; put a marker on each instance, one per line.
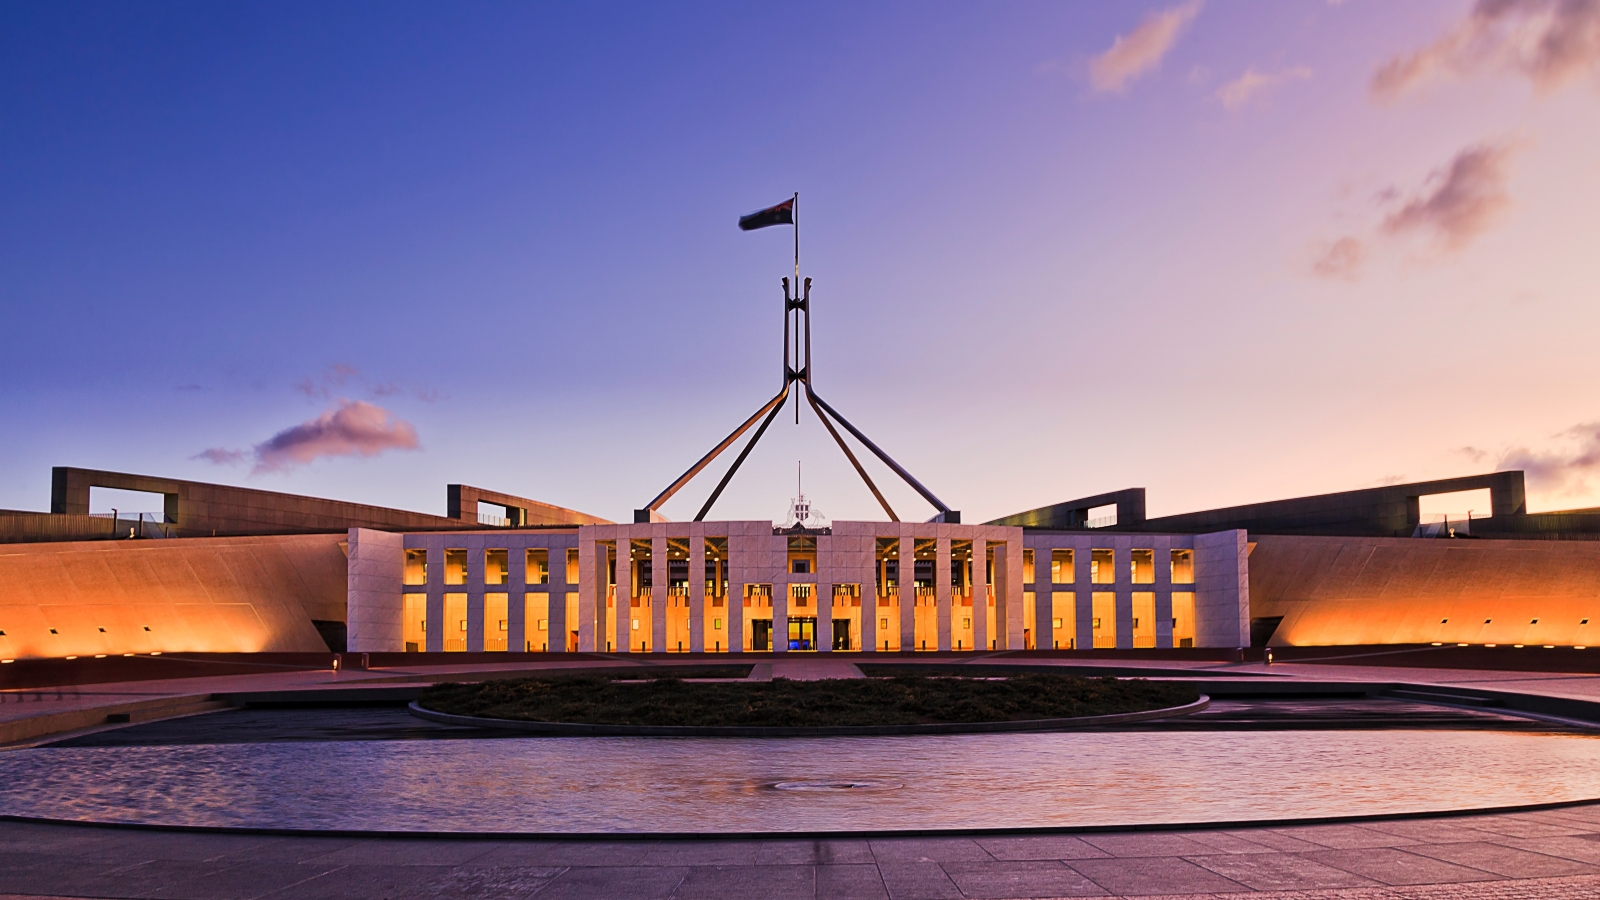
(1462, 201)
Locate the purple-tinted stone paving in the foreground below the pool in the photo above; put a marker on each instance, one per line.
(1478, 858)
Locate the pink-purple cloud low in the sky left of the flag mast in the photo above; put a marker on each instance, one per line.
(354, 428)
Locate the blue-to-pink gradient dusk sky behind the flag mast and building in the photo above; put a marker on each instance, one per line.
(513, 228)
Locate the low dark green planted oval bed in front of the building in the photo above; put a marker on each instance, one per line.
(903, 701)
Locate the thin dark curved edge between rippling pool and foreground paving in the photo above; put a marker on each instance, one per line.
(802, 835)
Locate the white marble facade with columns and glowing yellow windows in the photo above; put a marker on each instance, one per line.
(759, 555)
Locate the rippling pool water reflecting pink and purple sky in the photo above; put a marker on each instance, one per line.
(687, 785)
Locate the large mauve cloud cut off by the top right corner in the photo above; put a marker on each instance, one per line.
(1550, 42)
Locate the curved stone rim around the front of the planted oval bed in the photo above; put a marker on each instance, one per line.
(575, 729)
